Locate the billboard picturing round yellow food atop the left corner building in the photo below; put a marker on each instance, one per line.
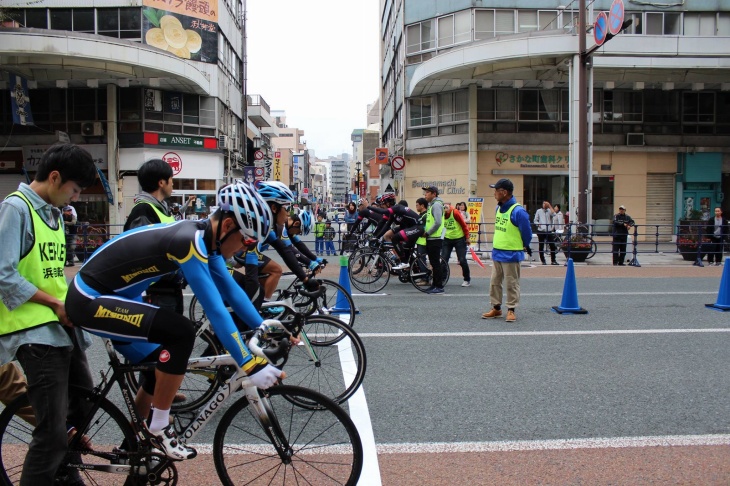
(189, 34)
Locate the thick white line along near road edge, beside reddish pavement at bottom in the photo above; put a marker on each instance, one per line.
(561, 444)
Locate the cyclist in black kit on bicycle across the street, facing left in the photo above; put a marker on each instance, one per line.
(401, 224)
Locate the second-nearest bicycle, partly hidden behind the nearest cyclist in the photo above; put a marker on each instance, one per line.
(330, 357)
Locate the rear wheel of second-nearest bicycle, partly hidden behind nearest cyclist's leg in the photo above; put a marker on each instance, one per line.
(199, 384)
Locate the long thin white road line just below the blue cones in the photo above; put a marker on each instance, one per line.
(540, 333)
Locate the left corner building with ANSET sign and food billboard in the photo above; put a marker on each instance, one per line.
(129, 81)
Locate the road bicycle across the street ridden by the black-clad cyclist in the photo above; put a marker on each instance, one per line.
(370, 269)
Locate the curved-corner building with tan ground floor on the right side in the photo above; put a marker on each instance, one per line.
(475, 91)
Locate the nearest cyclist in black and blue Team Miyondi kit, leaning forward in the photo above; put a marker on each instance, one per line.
(105, 298)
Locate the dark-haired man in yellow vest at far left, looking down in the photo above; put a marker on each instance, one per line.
(34, 326)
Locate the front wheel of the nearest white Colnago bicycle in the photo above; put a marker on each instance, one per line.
(323, 445)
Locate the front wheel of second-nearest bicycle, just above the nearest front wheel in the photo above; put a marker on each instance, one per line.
(340, 364)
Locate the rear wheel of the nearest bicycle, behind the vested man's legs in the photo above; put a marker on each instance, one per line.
(107, 430)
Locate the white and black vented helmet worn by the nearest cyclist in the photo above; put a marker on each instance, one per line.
(252, 213)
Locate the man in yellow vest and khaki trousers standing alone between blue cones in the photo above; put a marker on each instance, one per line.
(512, 236)
